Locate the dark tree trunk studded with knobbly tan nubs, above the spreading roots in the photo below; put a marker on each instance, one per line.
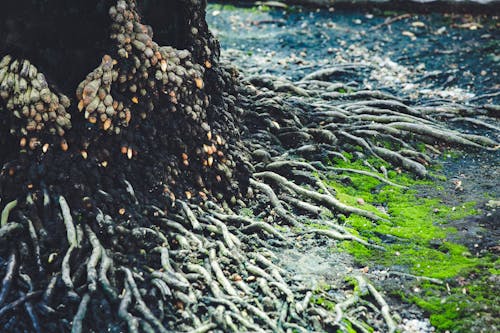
(136, 87)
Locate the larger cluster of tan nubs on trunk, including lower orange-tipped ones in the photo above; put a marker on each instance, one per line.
(155, 87)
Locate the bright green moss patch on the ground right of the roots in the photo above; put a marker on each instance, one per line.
(416, 239)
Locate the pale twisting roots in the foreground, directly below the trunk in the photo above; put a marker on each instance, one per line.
(200, 274)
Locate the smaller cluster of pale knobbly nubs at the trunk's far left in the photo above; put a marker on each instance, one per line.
(27, 97)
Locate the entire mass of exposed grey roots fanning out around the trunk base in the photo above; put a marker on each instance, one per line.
(202, 268)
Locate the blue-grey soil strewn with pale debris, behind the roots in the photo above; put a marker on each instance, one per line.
(440, 52)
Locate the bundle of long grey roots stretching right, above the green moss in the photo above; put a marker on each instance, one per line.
(371, 122)
